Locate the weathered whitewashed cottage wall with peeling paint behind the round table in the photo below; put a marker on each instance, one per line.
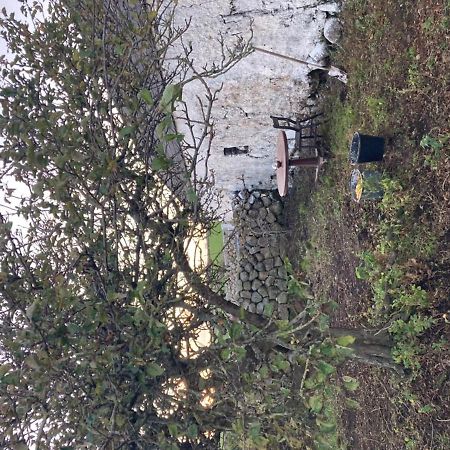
(256, 87)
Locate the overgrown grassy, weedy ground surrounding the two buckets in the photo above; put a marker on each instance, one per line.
(387, 263)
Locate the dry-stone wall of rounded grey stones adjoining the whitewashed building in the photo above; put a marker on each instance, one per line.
(259, 277)
